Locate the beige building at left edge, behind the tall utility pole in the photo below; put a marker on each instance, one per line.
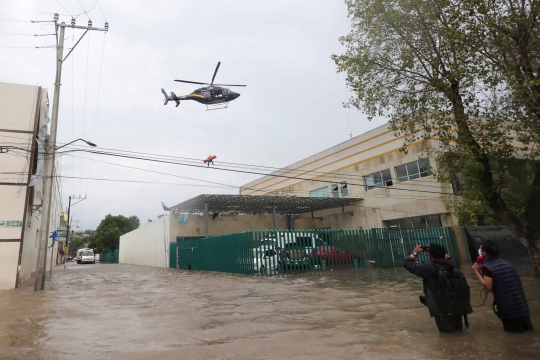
(23, 116)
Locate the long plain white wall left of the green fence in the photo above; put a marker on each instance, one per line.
(145, 246)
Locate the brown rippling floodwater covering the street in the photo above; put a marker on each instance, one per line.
(106, 311)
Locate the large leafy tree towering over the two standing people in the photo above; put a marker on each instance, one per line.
(417, 62)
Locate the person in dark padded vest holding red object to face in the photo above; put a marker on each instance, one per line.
(498, 276)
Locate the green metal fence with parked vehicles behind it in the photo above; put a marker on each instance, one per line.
(275, 252)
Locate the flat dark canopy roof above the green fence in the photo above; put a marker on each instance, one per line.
(247, 204)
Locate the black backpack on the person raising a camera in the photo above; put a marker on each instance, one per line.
(454, 292)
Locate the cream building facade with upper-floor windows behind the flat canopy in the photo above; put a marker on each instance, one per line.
(398, 189)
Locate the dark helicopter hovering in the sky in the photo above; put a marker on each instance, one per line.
(213, 94)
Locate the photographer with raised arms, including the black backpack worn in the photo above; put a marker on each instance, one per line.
(445, 304)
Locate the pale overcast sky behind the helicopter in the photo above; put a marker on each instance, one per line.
(291, 108)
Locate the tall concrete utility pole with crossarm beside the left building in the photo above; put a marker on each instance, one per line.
(50, 150)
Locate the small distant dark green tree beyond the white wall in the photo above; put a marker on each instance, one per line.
(107, 236)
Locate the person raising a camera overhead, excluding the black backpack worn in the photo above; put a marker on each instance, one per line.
(438, 260)
